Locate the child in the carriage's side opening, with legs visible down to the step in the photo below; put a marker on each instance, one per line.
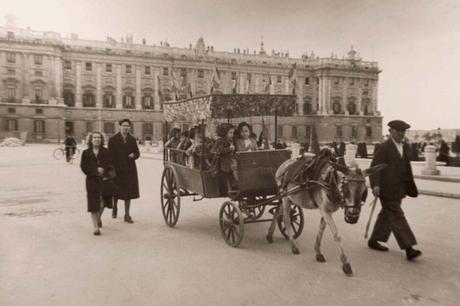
(224, 149)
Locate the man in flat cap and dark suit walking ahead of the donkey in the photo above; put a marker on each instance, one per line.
(391, 185)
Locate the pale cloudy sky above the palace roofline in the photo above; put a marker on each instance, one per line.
(415, 42)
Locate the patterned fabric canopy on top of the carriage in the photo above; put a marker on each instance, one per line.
(218, 106)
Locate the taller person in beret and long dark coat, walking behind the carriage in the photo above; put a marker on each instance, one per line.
(125, 151)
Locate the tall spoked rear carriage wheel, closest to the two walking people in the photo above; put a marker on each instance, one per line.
(170, 197)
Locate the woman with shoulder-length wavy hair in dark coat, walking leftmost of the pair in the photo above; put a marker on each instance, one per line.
(96, 163)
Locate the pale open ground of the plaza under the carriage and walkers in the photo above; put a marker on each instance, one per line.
(48, 255)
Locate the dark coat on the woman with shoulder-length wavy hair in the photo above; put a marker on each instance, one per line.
(89, 164)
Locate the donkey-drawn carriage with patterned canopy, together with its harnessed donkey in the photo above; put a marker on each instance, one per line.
(319, 183)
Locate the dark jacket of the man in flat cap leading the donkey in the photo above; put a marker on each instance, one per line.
(396, 180)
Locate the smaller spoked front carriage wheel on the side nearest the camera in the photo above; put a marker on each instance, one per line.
(231, 223)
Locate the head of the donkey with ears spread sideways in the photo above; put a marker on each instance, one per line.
(354, 189)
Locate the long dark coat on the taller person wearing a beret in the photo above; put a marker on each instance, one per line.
(126, 180)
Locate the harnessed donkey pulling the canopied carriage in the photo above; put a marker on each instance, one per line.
(334, 186)
